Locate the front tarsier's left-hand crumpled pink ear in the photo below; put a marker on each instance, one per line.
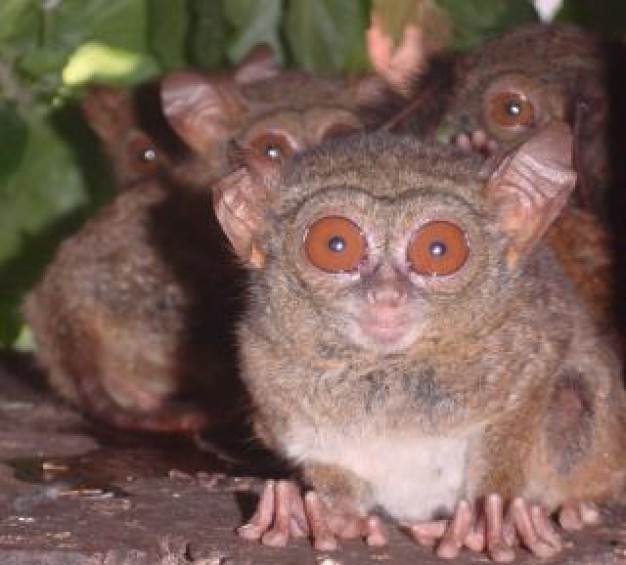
(239, 202)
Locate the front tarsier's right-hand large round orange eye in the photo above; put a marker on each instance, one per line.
(437, 249)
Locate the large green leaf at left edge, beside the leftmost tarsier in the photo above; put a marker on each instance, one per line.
(60, 180)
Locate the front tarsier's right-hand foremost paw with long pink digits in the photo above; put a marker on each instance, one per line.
(490, 529)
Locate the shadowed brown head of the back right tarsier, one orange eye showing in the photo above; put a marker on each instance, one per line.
(513, 85)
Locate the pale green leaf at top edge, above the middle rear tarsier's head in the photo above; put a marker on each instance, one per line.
(253, 22)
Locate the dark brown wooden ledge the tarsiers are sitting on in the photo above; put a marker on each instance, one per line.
(68, 496)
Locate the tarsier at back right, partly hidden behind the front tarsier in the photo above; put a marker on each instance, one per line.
(494, 98)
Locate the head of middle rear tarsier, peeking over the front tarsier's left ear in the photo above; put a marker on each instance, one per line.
(272, 112)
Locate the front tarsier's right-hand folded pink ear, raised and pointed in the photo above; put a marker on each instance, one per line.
(531, 186)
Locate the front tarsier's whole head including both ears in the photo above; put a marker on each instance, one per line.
(388, 241)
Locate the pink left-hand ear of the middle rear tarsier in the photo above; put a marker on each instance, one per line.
(203, 110)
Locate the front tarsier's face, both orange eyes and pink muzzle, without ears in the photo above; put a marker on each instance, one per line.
(390, 266)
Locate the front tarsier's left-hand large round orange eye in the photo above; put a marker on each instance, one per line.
(335, 245)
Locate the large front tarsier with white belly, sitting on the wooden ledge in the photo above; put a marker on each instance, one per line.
(413, 348)
